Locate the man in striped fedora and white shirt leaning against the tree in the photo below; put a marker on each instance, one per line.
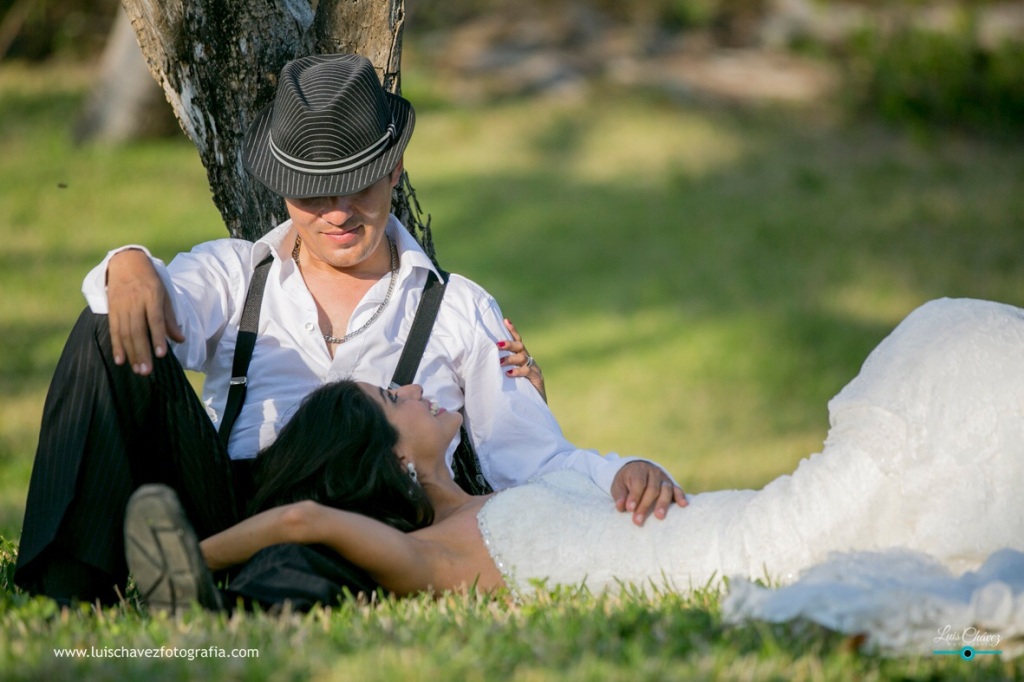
(345, 282)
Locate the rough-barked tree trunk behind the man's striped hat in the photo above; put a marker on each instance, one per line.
(218, 62)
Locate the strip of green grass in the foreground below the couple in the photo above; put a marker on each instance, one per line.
(564, 635)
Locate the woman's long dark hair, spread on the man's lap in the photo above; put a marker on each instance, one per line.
(338, 450)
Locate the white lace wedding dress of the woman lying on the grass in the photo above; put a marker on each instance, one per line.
(921, 474)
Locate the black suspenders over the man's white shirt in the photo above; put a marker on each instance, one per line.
(466, 464)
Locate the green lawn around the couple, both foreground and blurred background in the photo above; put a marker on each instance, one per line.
(697, 283)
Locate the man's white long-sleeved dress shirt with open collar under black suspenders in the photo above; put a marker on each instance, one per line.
(516, 435)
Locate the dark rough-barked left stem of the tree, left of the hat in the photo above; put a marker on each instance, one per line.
(217, 62)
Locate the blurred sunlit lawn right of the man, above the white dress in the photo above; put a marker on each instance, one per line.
(698, 283)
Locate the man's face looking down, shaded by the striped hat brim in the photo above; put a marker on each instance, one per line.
(345, 232)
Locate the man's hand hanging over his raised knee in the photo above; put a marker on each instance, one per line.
(140, 310)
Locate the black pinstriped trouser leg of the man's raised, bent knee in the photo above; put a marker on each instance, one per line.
(105, 433)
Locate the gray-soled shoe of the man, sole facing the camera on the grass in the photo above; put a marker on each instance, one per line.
(163, 553)
